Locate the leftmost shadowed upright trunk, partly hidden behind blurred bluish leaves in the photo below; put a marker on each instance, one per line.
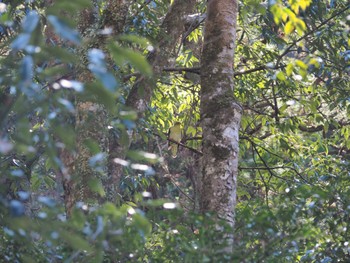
(91, 118)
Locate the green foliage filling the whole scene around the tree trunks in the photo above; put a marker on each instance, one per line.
(292, 78)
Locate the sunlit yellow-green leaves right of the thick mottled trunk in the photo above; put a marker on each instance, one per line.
(304, 133)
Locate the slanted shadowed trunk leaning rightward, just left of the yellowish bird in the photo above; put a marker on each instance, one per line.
(173, 26)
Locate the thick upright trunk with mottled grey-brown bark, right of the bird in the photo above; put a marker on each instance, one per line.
(220, 113)
